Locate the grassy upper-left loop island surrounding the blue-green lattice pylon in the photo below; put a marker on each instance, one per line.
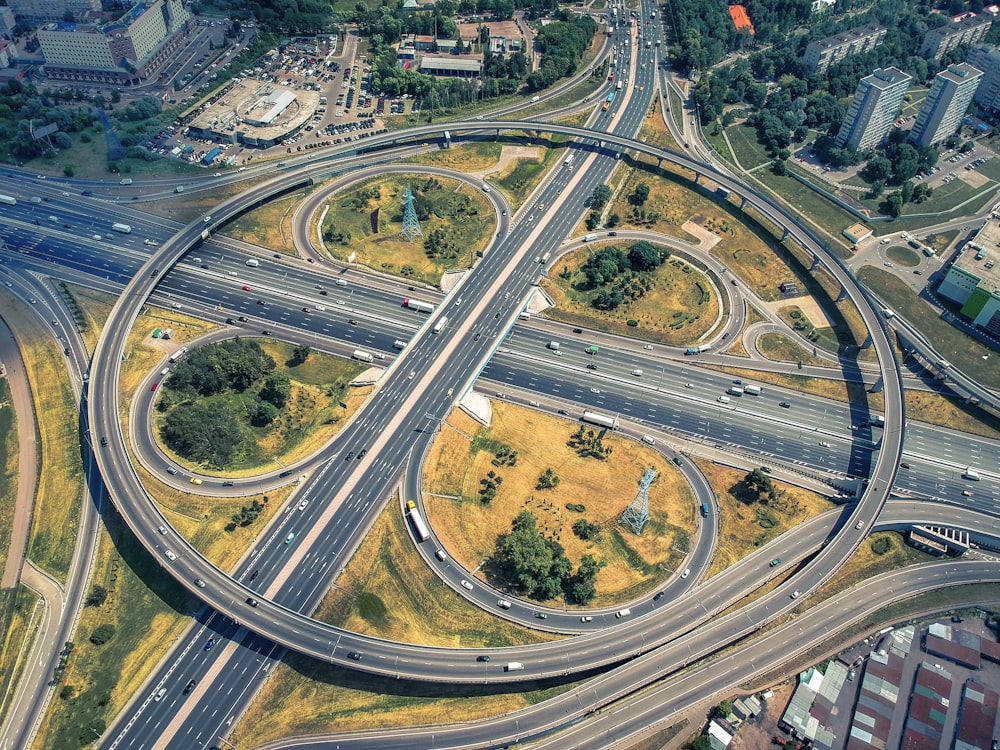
(457, 221)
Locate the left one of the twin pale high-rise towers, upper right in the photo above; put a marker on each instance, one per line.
(873, 108)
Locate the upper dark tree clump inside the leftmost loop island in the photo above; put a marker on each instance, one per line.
(234, 364)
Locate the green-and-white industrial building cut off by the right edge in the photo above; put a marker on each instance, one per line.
(973, 278)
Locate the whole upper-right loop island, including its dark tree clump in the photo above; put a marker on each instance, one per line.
(613, 287)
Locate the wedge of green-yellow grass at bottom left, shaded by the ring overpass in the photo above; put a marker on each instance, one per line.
(148, 611)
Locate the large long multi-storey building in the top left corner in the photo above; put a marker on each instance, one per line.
(126, 51)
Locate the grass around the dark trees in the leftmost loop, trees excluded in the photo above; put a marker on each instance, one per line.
(311, 417)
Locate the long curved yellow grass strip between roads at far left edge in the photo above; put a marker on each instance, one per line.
(60, 472)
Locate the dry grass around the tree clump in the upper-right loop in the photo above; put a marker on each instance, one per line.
(678, 308)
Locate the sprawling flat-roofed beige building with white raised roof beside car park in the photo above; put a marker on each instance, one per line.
(256, 113)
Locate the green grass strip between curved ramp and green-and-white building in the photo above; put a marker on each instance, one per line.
(963, 351)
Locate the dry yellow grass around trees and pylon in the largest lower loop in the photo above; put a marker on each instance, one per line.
(468, 528)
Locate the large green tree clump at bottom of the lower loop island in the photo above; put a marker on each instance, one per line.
(538, 566)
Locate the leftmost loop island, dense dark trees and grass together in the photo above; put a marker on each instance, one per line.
(238, 405)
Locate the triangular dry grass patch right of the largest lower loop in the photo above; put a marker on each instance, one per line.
(744, 527)
